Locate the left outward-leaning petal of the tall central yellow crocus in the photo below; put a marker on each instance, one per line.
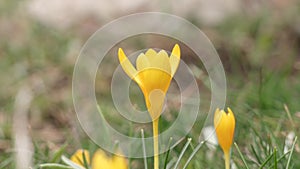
(126, 64)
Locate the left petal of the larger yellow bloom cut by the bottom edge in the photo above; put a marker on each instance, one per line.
(101, 160)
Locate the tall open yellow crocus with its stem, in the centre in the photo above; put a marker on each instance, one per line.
(153, 73)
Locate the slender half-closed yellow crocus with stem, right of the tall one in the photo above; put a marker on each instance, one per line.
(224, 125)
